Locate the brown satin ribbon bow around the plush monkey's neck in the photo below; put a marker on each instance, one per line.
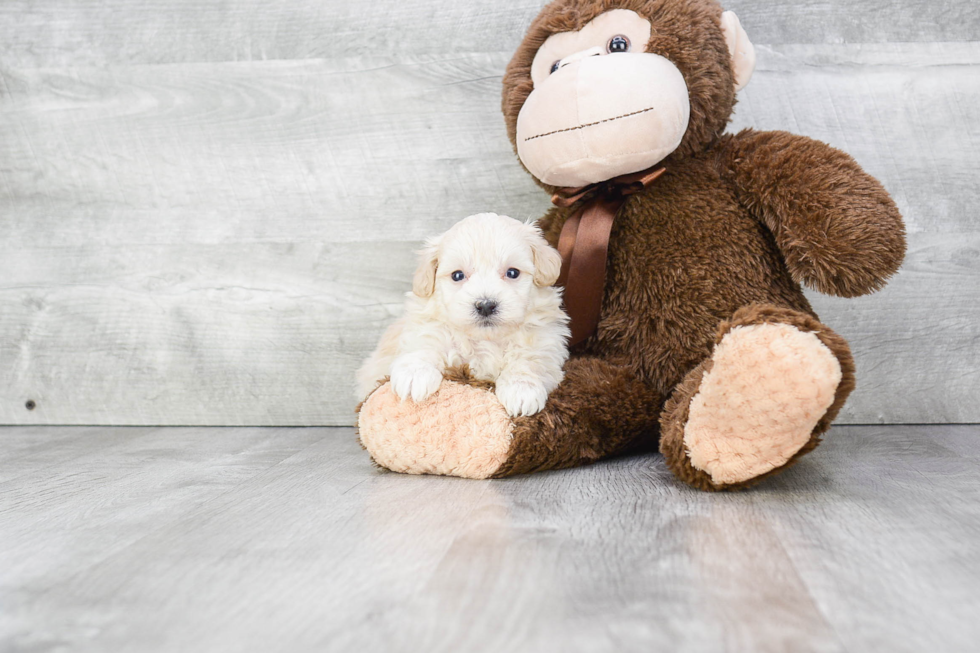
(584, 242)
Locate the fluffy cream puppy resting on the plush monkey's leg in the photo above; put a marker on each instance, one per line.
(482, 296)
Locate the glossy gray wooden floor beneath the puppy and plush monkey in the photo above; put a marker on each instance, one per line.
(251, 539)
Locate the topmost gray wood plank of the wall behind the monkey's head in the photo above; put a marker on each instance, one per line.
(46, 33)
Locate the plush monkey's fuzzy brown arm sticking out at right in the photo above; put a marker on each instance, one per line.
(837, 227)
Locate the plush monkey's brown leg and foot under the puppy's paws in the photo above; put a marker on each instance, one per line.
(599, 410)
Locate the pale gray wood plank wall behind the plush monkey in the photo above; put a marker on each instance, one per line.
(208, 209)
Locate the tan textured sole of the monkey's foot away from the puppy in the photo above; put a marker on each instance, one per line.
(759, 400)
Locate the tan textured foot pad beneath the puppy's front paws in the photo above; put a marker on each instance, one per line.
(461, 430)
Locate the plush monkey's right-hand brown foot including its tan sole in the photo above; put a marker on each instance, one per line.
(773, 384)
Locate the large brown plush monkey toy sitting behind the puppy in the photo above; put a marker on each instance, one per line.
(704, 340)
